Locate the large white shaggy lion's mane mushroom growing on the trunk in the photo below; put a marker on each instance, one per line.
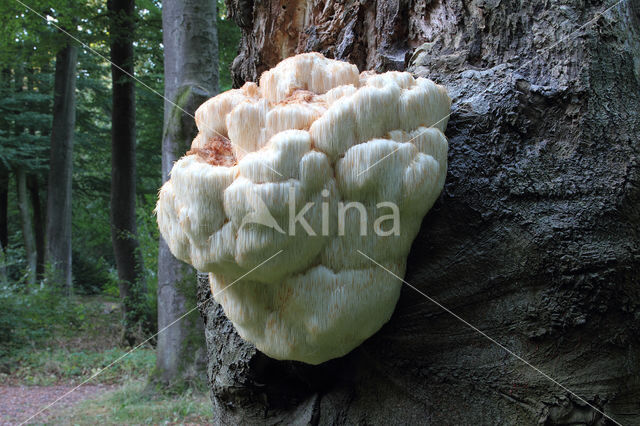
(314, 131)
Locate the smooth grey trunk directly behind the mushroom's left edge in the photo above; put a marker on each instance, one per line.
(191, 76)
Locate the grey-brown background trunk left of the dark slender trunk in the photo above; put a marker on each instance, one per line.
(58, 230)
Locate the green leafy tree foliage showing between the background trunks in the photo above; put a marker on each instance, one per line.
(28, 46)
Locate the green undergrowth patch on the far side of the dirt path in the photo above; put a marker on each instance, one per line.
(80, 342)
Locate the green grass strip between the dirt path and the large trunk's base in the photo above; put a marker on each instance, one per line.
(133, 403)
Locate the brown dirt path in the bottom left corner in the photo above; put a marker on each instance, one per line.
(18, 403)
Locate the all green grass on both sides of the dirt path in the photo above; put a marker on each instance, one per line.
(80, 341)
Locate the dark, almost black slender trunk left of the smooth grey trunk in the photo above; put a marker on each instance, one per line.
(124, 234)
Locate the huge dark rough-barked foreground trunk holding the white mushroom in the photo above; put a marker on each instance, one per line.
(534, 239)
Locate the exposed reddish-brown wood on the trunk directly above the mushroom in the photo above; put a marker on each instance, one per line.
(374, 35)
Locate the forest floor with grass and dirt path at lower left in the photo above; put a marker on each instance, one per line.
(38, 375)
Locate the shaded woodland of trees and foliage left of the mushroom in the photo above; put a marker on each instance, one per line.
(82, 108)
